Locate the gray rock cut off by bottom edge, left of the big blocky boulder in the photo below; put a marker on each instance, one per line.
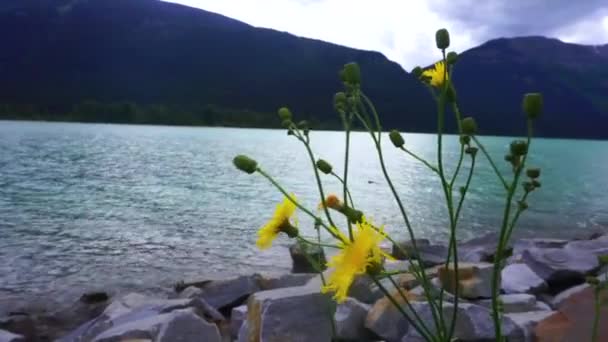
(178, 325)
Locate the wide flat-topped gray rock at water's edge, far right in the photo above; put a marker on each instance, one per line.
(560, 266)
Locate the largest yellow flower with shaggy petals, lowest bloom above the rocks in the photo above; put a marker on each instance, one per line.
(354, 259)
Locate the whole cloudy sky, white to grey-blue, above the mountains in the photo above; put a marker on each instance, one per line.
(404, 29)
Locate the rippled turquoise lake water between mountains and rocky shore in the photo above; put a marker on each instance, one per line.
(86, 206)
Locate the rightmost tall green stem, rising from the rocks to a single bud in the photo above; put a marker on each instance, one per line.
(502, 241)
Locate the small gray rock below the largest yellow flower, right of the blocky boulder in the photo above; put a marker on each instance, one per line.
(350, 321)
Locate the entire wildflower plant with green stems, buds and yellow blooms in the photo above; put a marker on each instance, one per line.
(358, 241)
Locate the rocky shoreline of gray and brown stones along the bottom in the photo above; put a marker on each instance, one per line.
(544, 298)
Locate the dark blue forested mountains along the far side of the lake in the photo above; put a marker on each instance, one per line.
(147, 61)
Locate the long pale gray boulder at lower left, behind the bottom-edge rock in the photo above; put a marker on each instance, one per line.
(133, 308)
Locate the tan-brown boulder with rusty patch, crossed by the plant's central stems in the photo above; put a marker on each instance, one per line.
(474, 279)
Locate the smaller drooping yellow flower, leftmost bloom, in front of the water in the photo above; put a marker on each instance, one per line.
(277, 224)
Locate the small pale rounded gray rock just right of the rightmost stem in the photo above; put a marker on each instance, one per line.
(519, 278)
